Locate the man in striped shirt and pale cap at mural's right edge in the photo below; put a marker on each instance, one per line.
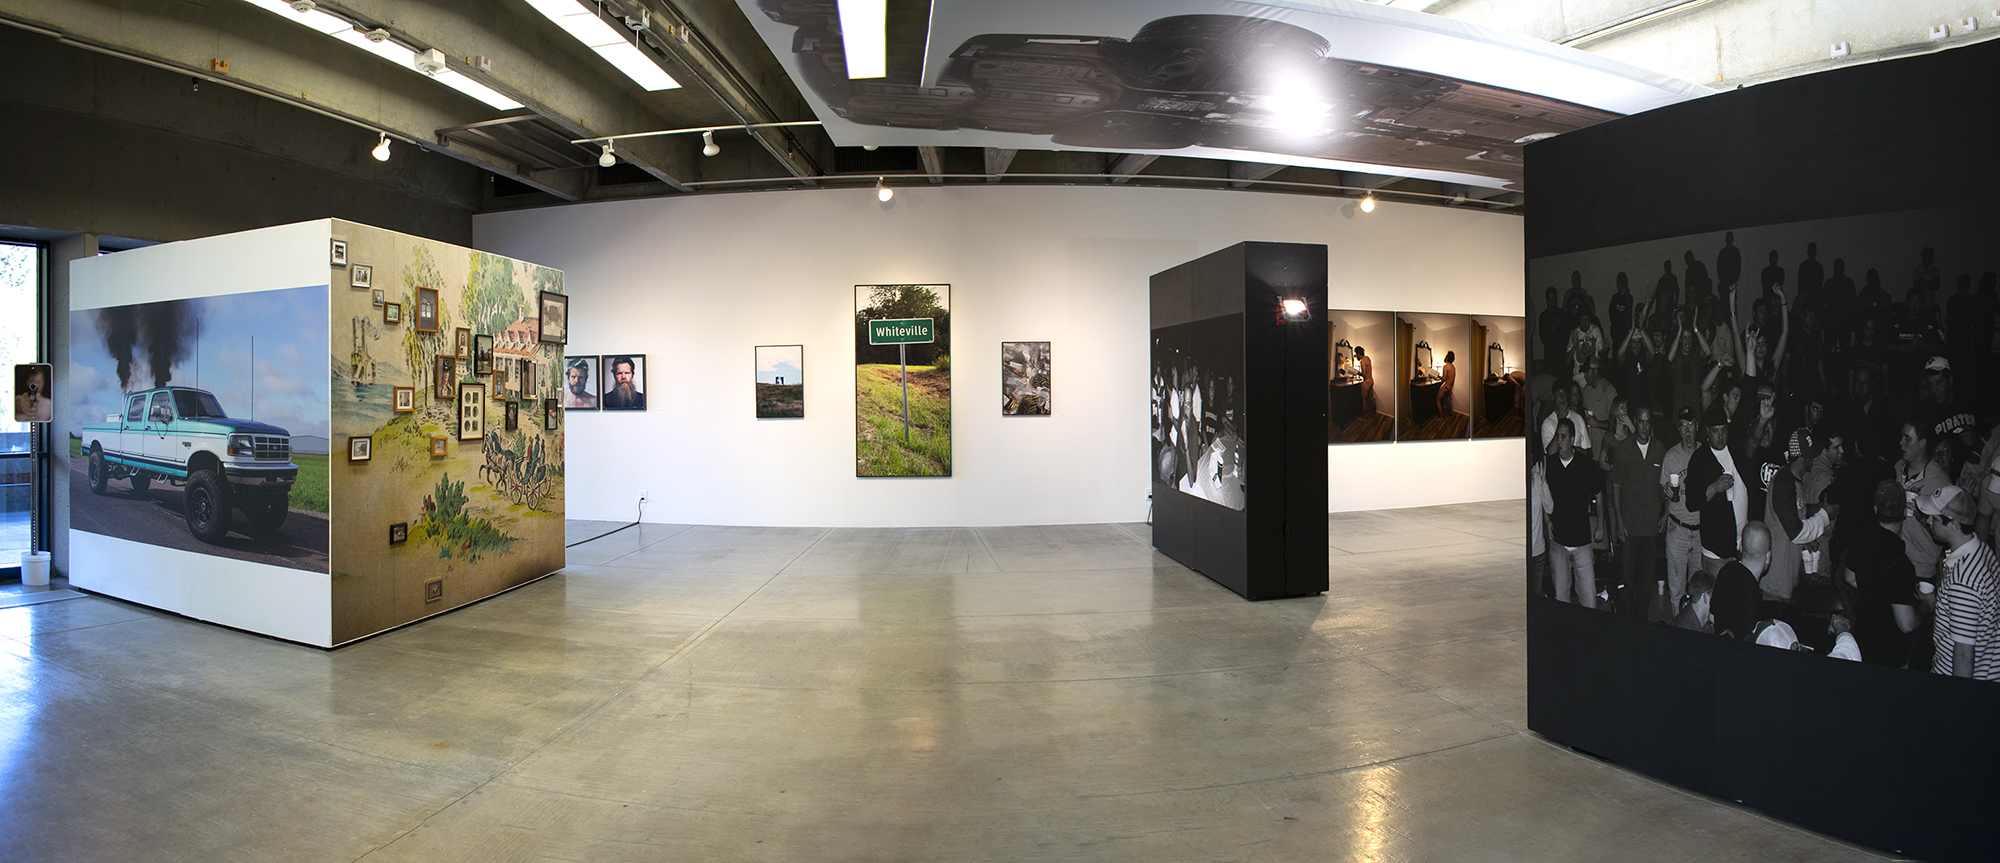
(1969, 590)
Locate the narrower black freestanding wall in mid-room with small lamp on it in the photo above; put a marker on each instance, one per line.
(1239, 419)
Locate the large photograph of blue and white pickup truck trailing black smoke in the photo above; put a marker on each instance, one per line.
(201, 425)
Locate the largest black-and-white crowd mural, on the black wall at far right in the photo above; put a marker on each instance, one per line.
(1779, 434)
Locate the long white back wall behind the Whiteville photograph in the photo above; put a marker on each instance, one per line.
(699, 283)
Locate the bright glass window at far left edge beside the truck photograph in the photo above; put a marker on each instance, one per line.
(21, 279)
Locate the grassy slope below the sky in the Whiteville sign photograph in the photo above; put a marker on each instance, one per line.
(879, 434)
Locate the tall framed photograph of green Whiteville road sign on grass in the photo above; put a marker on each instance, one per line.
(903, 381)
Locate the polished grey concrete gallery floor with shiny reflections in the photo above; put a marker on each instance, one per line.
(773, 694)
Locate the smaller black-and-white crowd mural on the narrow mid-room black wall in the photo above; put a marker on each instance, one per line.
(1199, 409)
